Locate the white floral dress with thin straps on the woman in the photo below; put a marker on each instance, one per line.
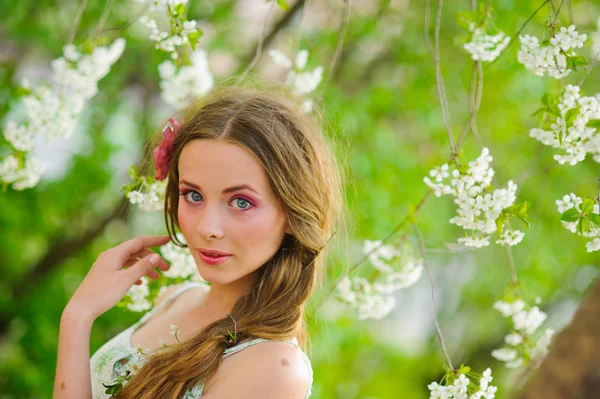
(117, 356)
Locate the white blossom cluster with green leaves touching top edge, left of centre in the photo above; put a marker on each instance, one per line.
(181, 31)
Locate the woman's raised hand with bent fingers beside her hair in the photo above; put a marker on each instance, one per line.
(107, 282)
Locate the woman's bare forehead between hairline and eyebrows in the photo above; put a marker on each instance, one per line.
(219, 163)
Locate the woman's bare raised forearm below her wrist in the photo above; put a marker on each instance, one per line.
(73, 378)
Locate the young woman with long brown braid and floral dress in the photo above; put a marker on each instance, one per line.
(254, 188)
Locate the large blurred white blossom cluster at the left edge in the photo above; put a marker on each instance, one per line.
(53, 112)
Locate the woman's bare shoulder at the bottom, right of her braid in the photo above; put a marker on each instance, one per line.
(273, 369)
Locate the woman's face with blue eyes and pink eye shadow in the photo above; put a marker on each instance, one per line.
(226, 204)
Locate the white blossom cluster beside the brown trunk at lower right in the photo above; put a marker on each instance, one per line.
(519, 347)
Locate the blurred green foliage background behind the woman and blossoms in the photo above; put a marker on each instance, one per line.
(381, 107)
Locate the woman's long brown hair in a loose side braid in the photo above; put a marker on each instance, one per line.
(304, 175)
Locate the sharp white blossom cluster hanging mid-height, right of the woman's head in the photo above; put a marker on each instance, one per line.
(480, 210)
